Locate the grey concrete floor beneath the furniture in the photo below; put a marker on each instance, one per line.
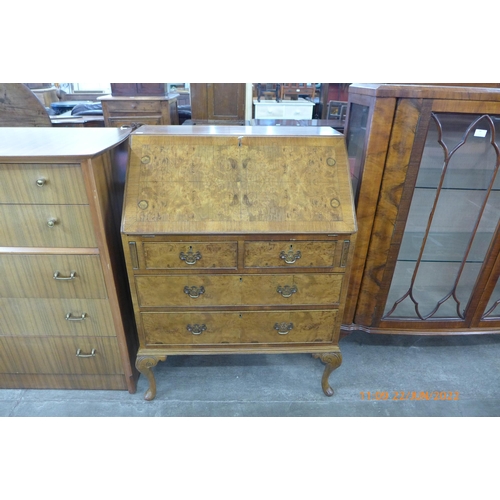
(286, 385)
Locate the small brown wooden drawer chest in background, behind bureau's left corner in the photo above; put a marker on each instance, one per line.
(138, 110)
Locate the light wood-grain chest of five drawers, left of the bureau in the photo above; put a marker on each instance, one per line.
(65, 308)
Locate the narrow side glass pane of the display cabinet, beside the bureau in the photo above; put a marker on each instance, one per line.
(355, 142)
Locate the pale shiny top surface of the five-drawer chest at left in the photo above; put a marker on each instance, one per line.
(23, 143)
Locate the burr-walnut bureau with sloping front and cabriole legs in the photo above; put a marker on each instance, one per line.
(237, 239)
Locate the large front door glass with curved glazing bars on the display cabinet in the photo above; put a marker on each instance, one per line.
(453, 216)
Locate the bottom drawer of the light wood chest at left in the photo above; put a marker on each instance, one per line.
(52, 355)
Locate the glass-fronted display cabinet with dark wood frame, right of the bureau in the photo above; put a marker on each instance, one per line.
(424, 161)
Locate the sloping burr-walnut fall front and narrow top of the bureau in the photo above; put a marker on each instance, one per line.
(237, 180)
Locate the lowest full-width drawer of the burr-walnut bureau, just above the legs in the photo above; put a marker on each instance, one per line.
(274, 327)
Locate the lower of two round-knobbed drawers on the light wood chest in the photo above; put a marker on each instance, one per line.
(46, 226)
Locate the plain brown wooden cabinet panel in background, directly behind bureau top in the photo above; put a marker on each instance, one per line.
(218, 101)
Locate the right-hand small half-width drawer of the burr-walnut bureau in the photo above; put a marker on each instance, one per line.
(284, 254)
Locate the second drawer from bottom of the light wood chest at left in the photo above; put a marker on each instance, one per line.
(56, 317)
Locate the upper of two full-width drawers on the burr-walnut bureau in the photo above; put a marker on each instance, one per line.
(228, 290)
